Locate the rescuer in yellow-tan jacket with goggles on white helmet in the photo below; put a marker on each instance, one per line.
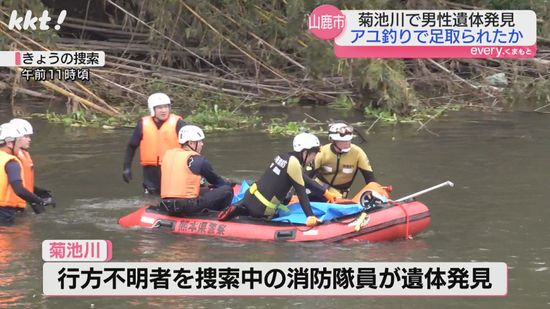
(338, 162)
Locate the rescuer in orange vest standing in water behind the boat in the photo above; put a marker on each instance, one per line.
(153, 135)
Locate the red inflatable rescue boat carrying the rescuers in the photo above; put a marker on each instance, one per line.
(399, 221)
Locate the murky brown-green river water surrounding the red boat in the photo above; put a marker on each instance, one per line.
(496, 212)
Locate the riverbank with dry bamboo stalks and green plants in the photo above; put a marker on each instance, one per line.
(220, 59)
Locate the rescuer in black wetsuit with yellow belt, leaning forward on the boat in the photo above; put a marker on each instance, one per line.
(286, 171)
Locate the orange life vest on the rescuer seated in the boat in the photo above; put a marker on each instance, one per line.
(177, 180)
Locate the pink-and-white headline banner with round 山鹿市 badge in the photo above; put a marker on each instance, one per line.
(426, 33)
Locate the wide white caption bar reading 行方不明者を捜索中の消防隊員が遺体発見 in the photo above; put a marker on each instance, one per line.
(274, 279)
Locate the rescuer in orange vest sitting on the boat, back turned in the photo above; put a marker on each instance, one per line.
(182, 169)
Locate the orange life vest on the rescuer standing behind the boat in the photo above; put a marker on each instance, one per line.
(155, 141)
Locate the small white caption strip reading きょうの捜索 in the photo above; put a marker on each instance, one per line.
(52, 58)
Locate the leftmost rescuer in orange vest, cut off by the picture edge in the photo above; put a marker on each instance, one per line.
(13, 195)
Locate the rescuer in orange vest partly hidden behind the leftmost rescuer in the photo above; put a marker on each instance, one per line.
(22, 145)
